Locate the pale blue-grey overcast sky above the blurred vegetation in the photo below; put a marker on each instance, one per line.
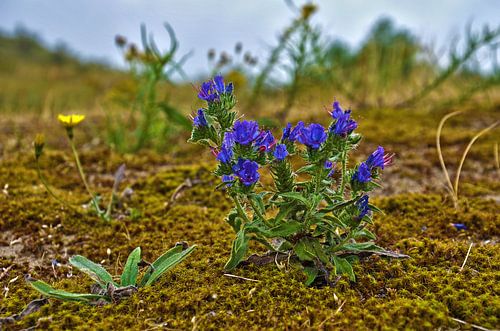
(89, 26)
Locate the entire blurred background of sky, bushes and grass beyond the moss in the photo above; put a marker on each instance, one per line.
(135, 66)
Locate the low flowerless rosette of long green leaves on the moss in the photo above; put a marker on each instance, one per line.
(109, 289)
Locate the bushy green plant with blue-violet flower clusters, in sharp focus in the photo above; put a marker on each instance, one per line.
(318, 213)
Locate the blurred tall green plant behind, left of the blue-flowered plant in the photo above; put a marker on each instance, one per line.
(151, 117)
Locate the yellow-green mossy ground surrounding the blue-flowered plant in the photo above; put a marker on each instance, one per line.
(427, 291)
